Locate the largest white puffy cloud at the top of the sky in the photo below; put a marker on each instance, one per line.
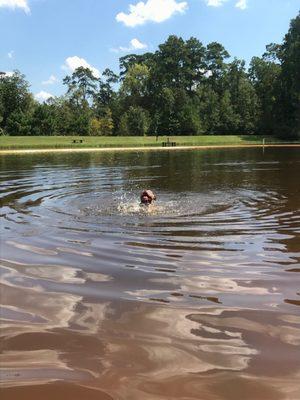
(151, 10)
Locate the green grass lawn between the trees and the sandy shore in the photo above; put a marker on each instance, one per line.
(44, 142)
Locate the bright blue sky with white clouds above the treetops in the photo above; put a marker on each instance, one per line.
(47, 39)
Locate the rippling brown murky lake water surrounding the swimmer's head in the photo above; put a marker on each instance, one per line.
(197, 299)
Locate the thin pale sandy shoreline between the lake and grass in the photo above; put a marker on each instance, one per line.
(139, 148)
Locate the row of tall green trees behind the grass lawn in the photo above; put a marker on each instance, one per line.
(183, 88)
